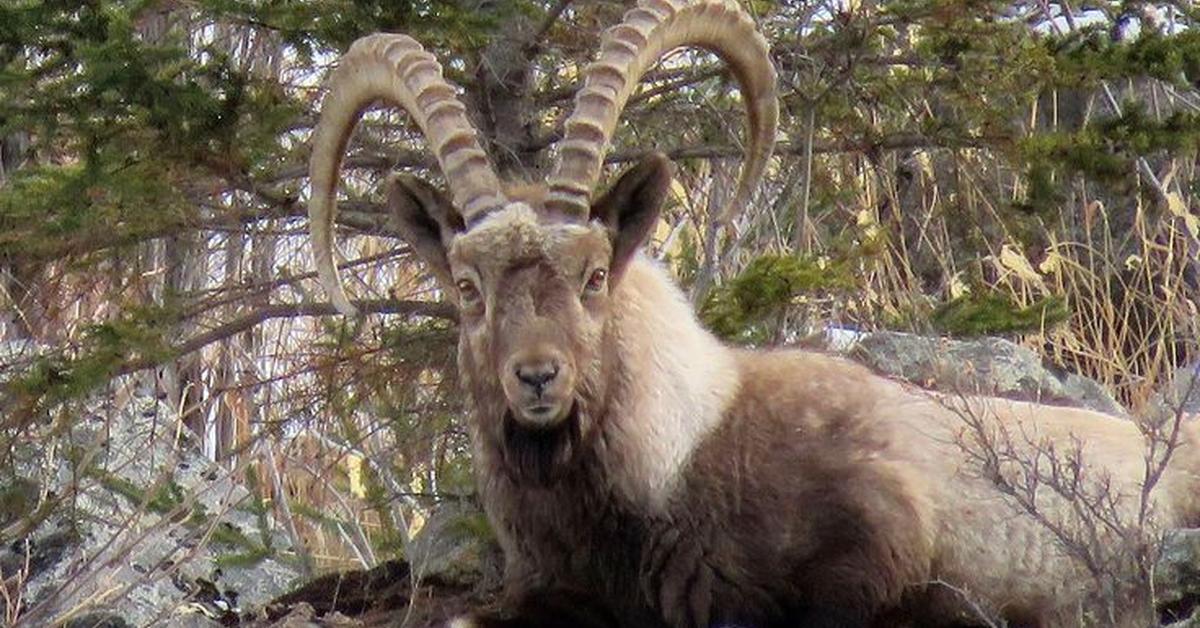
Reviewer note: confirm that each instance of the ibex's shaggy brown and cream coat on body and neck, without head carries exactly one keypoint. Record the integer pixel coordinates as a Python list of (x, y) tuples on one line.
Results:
[(787, 488)]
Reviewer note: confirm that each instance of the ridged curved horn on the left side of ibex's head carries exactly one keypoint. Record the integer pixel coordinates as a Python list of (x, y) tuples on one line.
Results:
[(399, 70)]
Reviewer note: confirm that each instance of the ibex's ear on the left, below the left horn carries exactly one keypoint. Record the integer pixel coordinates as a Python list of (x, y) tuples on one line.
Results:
[(428, 222)]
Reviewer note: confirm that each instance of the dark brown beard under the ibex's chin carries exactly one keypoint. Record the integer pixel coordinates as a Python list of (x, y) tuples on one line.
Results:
[(542, 457)]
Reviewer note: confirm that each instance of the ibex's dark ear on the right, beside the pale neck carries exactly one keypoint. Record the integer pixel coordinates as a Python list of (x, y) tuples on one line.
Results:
[(632, 207)]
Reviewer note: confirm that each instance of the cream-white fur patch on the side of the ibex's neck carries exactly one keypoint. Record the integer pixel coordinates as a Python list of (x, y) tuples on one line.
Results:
[(674, 384)]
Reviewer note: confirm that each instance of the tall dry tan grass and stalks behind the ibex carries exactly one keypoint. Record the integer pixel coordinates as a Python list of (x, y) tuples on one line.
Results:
[(352, 432)]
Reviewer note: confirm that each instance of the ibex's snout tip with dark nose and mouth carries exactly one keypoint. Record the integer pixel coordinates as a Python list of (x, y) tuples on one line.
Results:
[(539, 386)]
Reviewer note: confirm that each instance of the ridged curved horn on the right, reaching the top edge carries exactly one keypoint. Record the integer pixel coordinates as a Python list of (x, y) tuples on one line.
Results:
[(627, 51)]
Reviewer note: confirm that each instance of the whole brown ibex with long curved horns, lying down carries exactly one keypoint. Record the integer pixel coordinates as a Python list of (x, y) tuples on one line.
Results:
[(623, 451)]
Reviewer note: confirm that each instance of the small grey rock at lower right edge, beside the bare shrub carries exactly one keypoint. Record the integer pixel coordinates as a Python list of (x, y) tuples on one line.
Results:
[(1178, 578)]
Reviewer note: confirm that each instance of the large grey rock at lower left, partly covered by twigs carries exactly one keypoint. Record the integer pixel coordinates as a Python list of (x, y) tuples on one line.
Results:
[(143, 529)]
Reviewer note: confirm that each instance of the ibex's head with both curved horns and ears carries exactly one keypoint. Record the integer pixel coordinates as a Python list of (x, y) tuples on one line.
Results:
[(535, 272)]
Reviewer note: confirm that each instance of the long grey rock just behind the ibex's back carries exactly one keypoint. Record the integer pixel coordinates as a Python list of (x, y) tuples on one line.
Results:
[(988, 366)]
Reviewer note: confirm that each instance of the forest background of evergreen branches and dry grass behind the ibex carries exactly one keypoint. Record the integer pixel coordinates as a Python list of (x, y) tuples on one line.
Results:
[(957, 168)]
